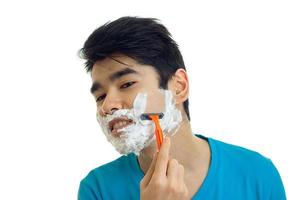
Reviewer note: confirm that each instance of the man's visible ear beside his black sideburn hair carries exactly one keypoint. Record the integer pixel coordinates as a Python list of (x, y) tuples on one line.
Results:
[(179, 85)]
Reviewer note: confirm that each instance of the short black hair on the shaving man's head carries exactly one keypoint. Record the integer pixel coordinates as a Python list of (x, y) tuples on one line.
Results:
[(144, 39)]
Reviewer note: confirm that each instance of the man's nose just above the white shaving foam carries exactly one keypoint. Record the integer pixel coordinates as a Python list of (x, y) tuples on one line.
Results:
[(111, 103)]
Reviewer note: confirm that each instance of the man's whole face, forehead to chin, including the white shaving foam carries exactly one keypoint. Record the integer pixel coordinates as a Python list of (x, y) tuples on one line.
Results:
[(123, 90)]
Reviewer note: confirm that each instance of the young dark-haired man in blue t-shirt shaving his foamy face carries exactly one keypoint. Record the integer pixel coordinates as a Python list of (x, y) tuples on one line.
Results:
[(137, 68)]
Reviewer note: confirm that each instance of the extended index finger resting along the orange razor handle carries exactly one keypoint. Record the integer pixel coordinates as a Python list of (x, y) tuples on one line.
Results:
[(162, 159)]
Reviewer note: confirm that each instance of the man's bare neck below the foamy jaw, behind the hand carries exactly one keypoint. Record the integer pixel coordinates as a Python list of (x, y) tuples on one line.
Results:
[(183, 143)]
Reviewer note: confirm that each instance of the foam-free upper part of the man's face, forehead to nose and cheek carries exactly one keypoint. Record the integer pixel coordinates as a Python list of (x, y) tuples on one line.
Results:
[(116, 85)]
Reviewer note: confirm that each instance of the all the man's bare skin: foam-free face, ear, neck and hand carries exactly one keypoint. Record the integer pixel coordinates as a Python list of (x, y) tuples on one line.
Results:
[(170, 174)]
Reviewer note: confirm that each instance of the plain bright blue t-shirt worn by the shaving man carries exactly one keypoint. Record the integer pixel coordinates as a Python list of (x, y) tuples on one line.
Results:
[(234, 173)]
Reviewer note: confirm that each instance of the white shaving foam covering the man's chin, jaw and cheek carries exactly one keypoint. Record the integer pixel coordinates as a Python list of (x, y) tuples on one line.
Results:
[(140, 134)]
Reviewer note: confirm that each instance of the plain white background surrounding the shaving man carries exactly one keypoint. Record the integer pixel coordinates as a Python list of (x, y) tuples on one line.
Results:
[(243, 58)]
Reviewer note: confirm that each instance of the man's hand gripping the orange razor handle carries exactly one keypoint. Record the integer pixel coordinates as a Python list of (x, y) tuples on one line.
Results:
[(165, 177)]
